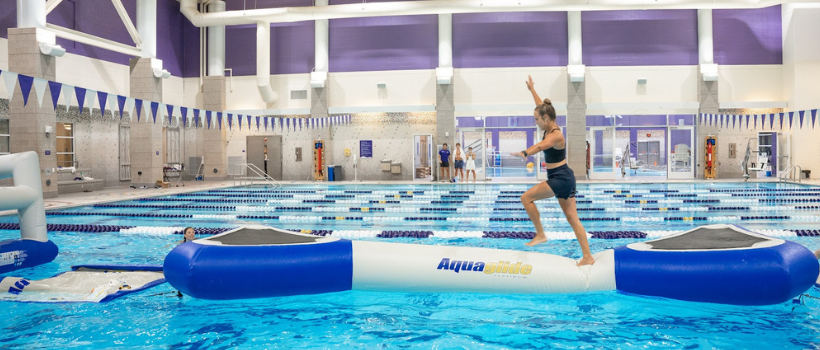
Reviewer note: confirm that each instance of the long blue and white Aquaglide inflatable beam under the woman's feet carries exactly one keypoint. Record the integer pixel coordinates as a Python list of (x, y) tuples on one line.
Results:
[(716, 264)]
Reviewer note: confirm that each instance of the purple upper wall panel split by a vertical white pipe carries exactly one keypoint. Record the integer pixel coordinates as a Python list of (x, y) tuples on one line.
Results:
[(291, 48)]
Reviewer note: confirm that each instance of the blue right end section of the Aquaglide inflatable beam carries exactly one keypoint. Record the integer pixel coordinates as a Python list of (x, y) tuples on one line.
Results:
[(741, 277)]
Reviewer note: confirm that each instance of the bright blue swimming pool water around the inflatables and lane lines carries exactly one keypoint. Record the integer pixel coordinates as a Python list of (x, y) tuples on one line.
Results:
[(157, 319)]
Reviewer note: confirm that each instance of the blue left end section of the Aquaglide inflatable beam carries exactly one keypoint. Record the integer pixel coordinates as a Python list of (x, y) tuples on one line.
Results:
[(242, 272)]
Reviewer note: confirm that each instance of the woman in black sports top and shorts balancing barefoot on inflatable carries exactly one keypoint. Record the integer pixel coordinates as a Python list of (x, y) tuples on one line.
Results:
[(561, 179)]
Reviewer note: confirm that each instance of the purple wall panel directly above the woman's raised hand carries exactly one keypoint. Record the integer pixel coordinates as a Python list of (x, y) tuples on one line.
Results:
[(516, 39)]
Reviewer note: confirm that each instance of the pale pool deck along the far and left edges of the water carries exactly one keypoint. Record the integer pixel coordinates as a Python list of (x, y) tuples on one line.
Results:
[(122, 193)]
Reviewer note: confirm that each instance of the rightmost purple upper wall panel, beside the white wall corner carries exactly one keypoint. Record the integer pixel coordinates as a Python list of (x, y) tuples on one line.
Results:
[(748, 36)]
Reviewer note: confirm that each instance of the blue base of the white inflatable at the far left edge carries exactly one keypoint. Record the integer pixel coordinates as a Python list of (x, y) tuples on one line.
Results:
[(23, 253)]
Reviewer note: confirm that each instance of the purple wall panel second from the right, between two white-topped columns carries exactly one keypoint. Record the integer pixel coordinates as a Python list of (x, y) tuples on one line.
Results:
[(638, 38)]
